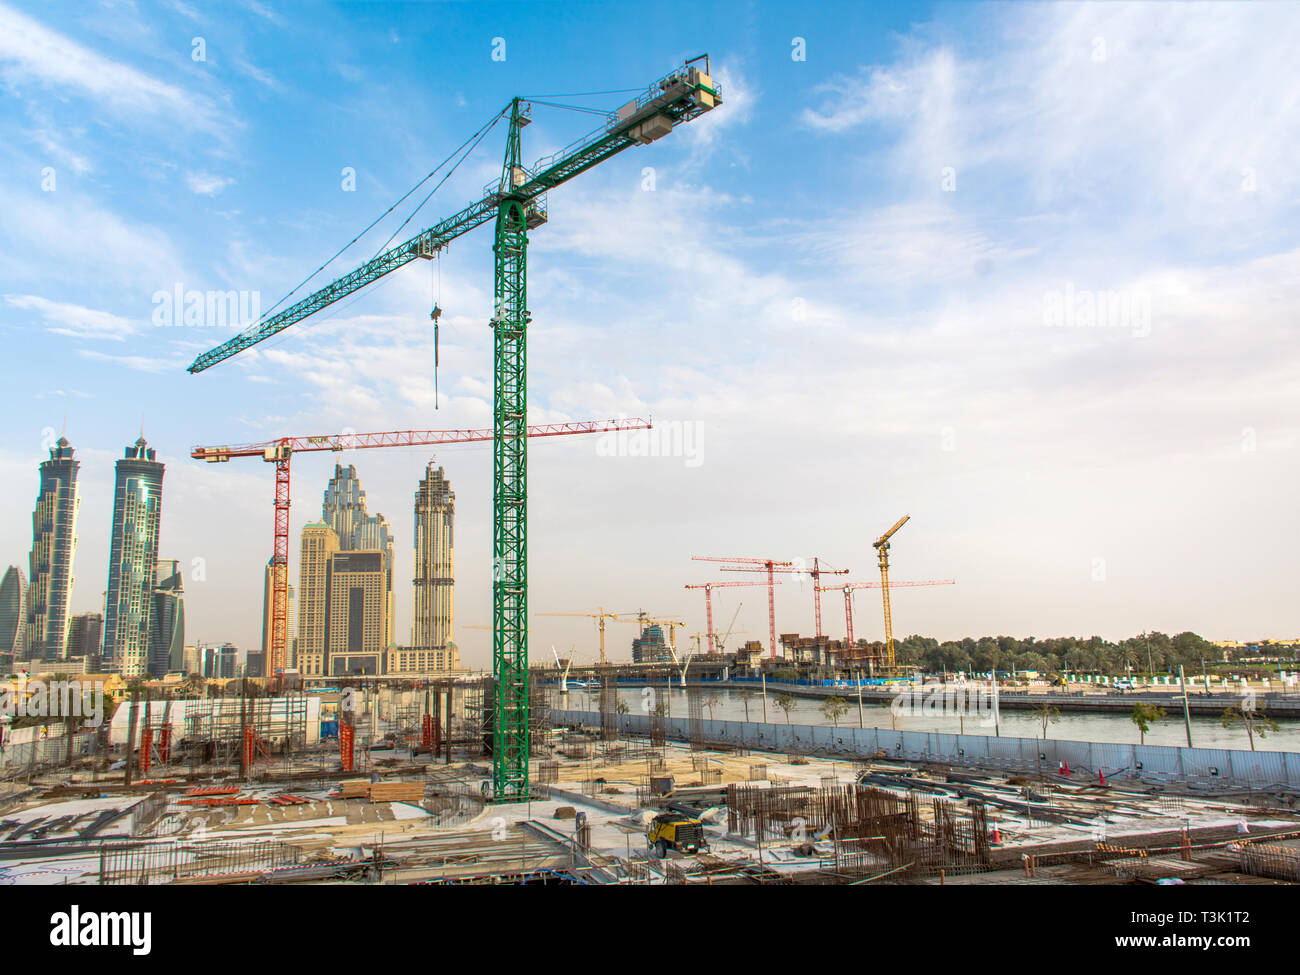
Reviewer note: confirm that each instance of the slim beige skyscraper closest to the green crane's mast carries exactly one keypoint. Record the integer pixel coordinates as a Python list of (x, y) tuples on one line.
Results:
[(435, 562)]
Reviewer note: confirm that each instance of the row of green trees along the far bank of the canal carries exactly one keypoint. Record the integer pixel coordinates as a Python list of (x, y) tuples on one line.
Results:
[(1158, 652)]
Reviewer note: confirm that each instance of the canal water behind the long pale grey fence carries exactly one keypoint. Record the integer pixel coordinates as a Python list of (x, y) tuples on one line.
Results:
[(740, 705)]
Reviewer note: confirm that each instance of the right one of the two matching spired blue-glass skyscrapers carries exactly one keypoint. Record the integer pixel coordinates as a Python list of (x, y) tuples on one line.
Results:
[(133, 561)]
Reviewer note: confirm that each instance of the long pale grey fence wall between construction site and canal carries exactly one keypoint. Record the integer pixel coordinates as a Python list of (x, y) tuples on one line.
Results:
[(1204, 769)]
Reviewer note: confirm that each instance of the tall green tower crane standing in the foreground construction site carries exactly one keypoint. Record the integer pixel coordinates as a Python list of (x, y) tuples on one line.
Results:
[(518, 202)]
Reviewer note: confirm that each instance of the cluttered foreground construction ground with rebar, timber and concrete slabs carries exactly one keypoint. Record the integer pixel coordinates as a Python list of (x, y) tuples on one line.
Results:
[(391, 785)]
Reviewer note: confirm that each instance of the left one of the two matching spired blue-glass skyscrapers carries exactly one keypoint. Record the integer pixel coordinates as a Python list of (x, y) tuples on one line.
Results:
[(54, 545)]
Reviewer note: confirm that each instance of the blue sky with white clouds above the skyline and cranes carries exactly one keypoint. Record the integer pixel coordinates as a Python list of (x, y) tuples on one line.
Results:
[(843, 279)]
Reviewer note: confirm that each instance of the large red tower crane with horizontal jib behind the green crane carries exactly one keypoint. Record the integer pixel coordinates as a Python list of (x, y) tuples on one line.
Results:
[(280, 452)]
